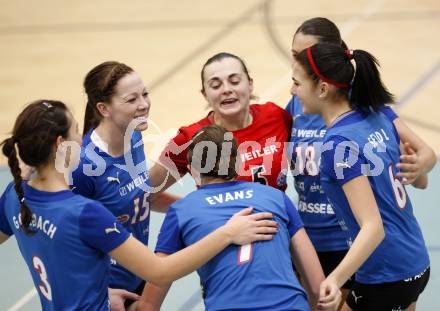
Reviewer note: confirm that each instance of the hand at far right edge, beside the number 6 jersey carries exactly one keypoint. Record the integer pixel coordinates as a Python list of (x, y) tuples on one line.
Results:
[(409, 165)]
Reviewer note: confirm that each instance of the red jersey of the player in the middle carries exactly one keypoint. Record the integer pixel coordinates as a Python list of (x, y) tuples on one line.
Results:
[(260, 145)]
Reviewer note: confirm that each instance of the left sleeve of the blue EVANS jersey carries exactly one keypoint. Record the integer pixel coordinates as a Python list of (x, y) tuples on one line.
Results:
[(169, 240)]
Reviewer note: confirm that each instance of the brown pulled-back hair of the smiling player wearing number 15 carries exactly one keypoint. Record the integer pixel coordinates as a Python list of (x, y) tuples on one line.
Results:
[(99, 85)]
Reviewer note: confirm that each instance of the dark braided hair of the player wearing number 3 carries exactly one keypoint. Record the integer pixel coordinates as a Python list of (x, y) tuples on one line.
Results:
[(34, 135)]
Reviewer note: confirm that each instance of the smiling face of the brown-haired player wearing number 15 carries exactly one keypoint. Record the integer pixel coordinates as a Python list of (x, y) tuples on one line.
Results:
[(129, 102)]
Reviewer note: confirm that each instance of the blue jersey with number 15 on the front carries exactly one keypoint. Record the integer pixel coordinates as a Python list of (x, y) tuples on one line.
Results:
[(120, 184)]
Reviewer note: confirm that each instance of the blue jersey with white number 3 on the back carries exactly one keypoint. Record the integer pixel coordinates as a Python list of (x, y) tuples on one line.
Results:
[(67, 255)]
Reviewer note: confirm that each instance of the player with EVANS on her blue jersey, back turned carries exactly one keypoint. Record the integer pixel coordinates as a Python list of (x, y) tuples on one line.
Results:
[(258, 276)]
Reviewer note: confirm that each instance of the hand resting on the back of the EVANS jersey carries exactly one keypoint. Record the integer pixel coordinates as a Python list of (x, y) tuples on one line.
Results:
[(245, 227)]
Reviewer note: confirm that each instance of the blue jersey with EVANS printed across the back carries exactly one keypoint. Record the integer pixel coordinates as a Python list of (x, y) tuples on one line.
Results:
[(253, 277)]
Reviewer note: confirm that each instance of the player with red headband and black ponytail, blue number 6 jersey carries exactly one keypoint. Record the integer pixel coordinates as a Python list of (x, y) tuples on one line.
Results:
[(359, 174)]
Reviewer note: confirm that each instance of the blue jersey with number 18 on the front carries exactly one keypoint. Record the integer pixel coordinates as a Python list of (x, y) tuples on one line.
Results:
[(326, 232)]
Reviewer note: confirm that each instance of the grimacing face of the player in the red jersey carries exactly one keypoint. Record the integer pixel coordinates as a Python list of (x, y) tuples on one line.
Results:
[(227, 88)]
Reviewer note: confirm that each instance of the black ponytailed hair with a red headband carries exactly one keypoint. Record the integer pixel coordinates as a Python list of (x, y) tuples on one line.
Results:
[(331, 63)]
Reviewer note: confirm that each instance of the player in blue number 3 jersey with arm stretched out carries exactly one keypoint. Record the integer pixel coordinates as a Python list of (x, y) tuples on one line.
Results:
[(66, 239)]
